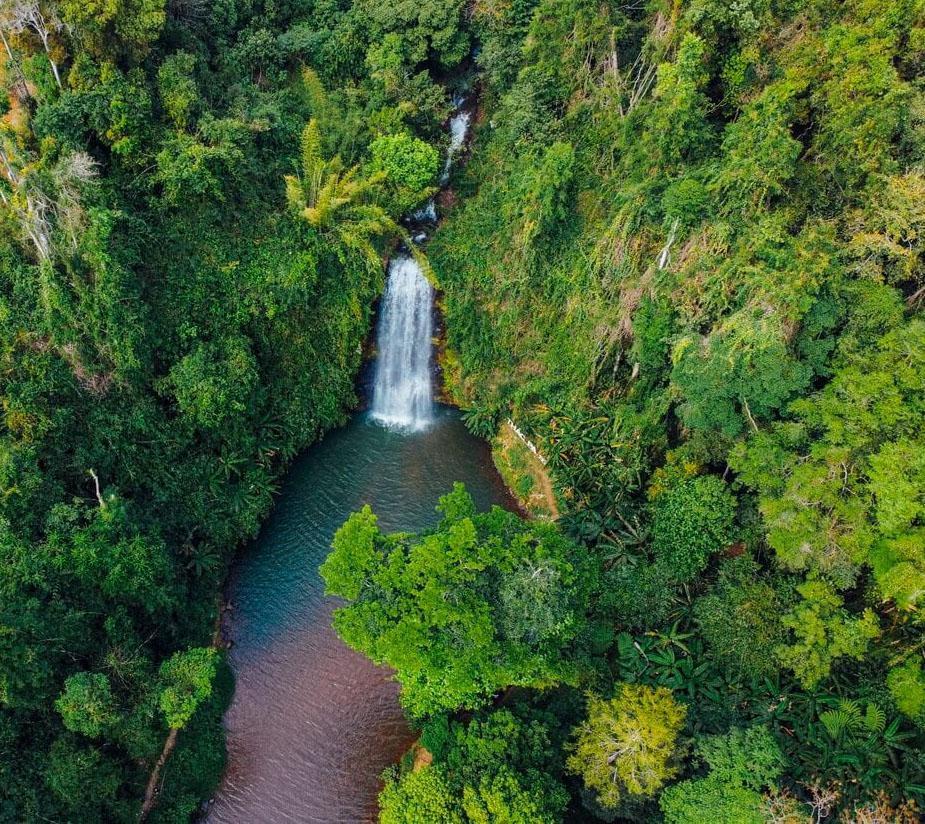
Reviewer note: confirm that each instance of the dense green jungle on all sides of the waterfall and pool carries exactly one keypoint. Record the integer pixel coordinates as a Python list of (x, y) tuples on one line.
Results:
[(684, 254)]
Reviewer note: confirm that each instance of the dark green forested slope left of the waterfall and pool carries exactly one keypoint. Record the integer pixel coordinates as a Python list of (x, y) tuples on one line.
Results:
[(191, 230)]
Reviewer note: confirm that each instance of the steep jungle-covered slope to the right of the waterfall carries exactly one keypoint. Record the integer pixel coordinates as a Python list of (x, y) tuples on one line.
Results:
[(687, 261)]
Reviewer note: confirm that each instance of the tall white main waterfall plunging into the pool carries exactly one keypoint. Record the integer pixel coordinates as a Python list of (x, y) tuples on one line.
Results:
[(402, 391)]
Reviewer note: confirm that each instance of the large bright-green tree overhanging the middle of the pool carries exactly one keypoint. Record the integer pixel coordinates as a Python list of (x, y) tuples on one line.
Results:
[(461, 612)]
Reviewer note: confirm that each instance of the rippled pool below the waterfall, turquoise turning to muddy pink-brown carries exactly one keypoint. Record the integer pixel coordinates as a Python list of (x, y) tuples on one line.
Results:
[(313, 724)]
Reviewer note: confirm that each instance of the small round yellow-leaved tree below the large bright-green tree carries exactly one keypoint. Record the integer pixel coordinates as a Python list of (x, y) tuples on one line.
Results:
[(629, 744)]
